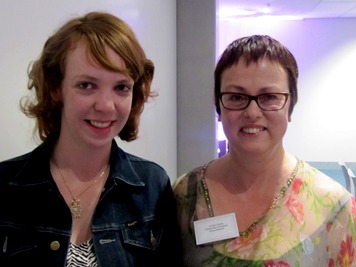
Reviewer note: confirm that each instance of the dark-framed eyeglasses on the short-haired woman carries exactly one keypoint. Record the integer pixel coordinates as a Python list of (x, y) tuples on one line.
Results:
[(267, 101)]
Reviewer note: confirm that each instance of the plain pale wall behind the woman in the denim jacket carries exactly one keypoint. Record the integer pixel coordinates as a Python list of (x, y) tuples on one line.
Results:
[(25, 26)]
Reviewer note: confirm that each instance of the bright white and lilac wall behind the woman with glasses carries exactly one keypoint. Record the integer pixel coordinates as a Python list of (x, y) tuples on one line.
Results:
[(323, 124)]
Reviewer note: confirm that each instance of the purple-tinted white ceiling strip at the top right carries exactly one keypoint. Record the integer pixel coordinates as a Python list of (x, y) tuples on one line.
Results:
[(298, 9)]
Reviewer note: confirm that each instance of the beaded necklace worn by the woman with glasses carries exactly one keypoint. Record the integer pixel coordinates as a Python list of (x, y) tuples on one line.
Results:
[(274, 203)]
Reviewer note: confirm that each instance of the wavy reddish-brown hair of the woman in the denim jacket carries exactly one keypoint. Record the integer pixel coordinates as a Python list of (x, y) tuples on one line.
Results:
[(97, 30)]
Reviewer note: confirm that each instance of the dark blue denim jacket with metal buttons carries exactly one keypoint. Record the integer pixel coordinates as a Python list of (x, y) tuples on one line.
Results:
[(134, 223)]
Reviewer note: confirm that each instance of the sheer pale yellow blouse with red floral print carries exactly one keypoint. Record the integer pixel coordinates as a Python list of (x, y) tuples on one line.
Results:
[(313, 224)]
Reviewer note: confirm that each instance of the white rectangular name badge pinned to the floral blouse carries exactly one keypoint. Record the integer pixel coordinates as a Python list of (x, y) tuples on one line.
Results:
[(216, 228)]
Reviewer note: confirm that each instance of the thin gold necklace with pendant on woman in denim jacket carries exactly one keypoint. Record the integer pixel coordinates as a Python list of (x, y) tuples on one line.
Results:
[(75, 205)]
